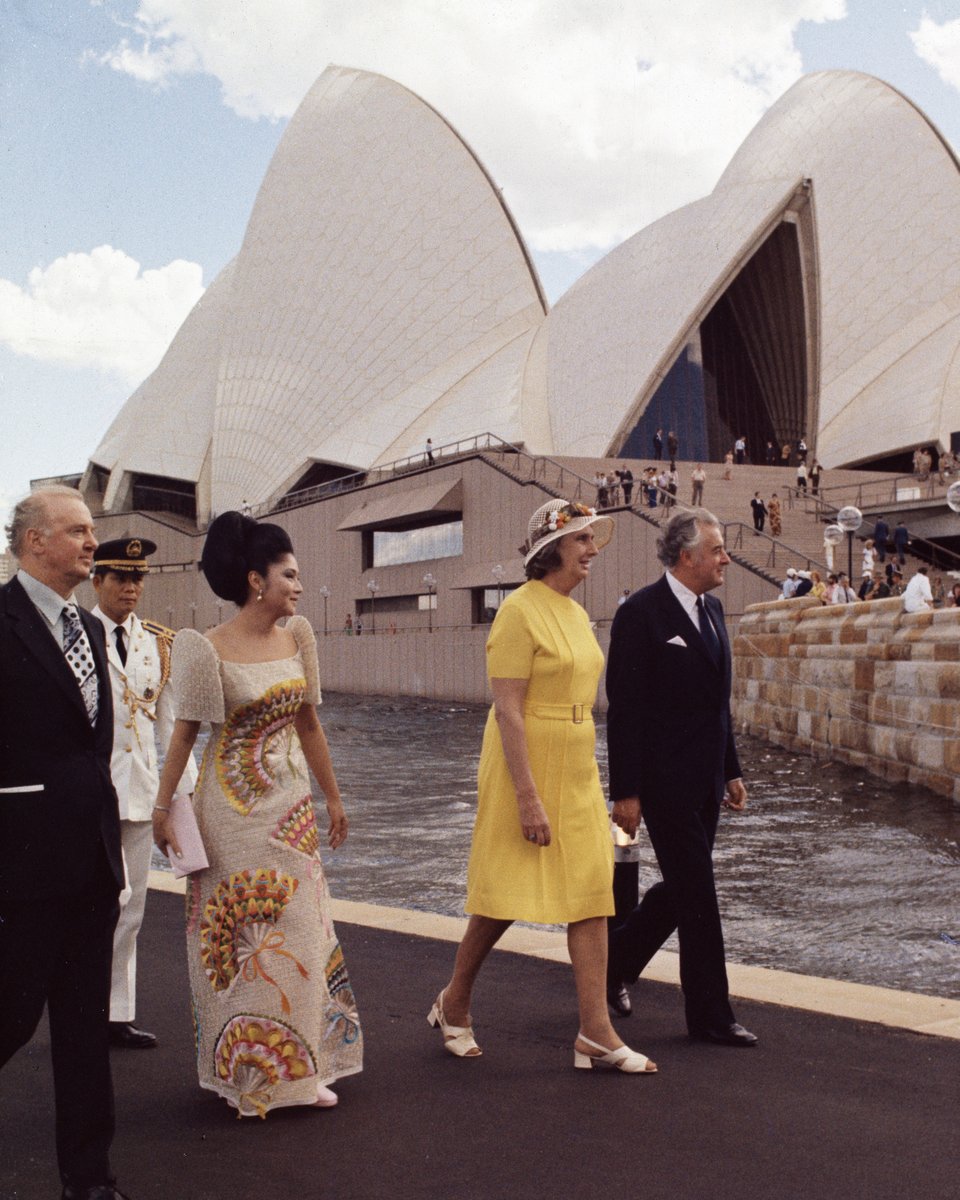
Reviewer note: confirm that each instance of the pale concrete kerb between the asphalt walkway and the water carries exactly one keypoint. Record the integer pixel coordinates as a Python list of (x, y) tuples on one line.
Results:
[(933, 1016)]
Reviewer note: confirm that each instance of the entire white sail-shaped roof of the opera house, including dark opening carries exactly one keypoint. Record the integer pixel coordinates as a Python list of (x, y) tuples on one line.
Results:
[(383, 295)]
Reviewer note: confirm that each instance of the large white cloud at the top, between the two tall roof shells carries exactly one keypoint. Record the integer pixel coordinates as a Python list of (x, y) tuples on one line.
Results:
[(595, 117)]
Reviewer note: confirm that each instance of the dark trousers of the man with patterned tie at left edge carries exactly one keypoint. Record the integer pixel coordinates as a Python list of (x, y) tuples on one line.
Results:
[(58, 952)]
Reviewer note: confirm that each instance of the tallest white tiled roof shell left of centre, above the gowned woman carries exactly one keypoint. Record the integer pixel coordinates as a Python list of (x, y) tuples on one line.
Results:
[(380, 269)]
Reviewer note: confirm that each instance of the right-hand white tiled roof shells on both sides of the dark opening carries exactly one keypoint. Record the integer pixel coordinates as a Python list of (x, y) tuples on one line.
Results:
[(887, 208)]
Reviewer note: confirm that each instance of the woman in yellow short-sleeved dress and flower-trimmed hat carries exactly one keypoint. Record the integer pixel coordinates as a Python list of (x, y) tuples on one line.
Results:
[(542, 847)]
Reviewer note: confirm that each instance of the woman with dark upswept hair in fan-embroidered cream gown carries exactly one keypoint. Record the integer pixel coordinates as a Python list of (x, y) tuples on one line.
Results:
[(275, 1017)]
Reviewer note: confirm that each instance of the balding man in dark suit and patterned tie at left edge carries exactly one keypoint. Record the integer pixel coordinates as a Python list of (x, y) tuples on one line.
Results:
[(59, 829)]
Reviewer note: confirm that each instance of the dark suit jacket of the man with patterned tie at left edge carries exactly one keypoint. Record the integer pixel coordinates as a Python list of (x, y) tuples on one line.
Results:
[(53, 841)]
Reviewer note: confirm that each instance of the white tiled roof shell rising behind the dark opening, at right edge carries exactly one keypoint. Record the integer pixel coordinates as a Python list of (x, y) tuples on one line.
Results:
[(887, 206)]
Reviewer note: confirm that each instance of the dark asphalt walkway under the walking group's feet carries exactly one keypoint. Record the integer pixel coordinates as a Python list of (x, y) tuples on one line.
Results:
[(827, 1107)]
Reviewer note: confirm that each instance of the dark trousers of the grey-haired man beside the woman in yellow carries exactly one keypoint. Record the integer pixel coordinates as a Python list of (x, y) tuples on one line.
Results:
[(682, 836)]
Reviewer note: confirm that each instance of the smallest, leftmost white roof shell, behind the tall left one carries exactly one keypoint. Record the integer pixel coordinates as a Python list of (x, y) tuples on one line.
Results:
[(165, 428)]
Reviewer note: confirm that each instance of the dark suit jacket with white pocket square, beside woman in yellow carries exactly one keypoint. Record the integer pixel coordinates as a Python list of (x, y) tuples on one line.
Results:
[(669, 727)]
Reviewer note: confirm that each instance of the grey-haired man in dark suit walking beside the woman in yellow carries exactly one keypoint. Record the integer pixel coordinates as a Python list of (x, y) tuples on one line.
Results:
[(669, 643)]
